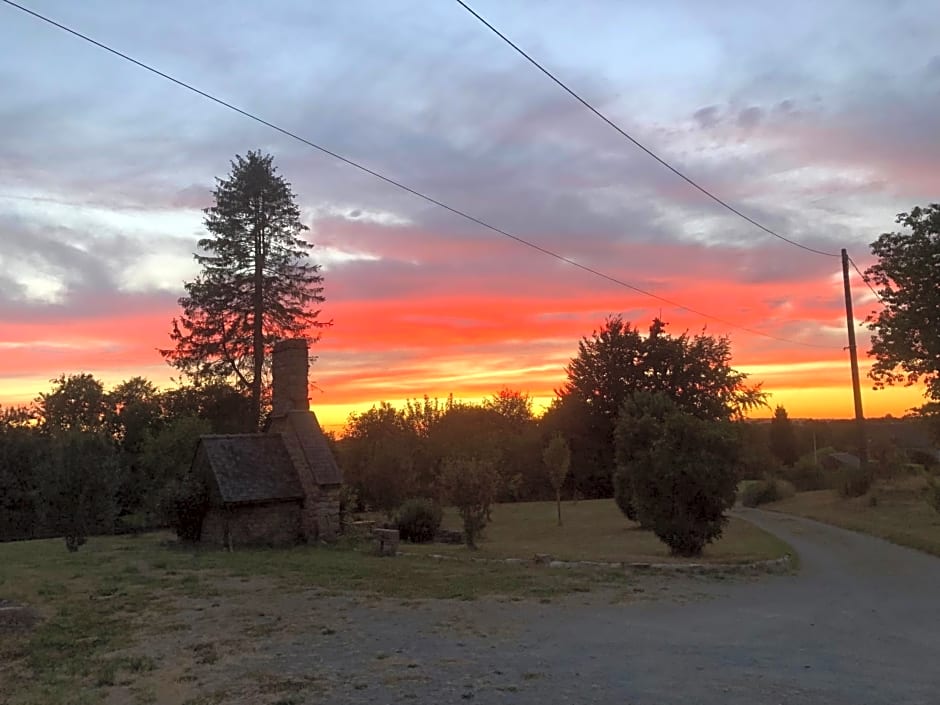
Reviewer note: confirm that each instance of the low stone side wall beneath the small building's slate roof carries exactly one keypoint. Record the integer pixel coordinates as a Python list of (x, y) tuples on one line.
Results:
[(274, 524)]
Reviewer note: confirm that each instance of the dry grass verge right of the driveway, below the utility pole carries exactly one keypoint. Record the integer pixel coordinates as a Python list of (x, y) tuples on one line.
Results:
[(899, 514)]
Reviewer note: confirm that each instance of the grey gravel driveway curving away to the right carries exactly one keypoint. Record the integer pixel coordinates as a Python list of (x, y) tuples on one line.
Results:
[(859, 625)]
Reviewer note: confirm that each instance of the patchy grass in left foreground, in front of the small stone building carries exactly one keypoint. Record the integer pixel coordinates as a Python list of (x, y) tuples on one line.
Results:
[(105, 597)]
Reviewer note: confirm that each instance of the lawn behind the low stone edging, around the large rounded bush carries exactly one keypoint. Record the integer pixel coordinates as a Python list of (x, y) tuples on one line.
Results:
[(596, 530)]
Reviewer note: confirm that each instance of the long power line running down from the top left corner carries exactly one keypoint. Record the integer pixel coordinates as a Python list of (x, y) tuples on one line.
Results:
[(398, 184)]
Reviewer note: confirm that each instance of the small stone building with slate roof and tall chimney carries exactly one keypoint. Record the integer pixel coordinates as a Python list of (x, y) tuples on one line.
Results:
[(276, 487)]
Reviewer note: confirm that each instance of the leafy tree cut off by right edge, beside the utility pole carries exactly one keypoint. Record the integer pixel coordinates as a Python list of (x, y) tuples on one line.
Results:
[(906, 331)]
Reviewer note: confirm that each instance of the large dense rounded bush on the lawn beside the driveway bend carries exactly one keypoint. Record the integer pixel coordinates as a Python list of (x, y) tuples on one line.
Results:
[(683, 476)]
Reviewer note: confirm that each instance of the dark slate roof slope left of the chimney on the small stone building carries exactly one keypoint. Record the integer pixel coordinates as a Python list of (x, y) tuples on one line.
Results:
[(250, 467)]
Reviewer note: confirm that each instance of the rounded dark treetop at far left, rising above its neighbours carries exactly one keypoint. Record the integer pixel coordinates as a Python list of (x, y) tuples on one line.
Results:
[(76, 403)]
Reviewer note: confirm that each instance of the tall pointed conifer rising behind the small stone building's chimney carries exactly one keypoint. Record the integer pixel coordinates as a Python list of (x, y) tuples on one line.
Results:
[(256, 285)]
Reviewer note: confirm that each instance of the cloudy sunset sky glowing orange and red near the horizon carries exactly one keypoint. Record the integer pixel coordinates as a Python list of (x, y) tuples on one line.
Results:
[(819, 120)]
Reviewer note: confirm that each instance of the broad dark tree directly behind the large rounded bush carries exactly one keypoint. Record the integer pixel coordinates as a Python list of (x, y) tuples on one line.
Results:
[(616, 360)]
